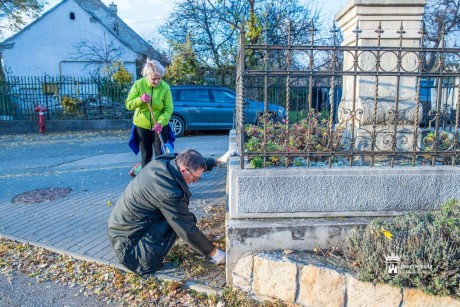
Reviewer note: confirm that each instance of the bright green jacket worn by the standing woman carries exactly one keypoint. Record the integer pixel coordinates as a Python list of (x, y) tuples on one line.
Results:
[(162, 103)]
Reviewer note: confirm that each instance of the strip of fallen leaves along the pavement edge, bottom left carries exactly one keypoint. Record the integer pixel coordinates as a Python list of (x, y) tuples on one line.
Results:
[(110, 285)]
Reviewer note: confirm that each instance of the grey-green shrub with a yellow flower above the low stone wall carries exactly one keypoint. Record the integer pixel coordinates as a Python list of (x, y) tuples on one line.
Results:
[(429, 241)]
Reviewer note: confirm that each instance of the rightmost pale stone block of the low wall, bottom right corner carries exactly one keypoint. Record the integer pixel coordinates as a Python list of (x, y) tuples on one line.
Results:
[(417, 298)]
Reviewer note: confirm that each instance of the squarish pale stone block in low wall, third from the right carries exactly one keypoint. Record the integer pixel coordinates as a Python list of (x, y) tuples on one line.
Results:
[(321, 286)]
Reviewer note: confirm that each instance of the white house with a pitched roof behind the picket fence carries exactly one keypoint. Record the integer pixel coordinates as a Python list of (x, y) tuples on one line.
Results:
[(75, 38)]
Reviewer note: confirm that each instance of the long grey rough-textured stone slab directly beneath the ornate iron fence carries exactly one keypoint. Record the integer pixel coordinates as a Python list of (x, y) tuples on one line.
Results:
[(356, 191)]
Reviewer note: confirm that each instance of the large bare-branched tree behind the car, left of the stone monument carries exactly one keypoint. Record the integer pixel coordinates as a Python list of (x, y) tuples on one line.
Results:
[(214, 27)]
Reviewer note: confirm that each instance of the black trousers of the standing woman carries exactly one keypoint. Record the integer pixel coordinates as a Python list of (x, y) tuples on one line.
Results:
[(148, 138)]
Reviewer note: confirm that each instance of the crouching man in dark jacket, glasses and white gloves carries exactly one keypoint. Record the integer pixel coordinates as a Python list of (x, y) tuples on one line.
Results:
[(153, 211)]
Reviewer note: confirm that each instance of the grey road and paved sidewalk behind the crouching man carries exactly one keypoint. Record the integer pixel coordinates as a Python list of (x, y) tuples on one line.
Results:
[(95, 167)]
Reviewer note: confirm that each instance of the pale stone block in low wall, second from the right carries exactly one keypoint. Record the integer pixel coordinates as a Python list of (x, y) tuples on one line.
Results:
[(366, 294)]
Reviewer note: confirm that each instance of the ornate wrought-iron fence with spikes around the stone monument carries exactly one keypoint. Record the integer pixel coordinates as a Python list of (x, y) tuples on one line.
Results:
[(382, 106)]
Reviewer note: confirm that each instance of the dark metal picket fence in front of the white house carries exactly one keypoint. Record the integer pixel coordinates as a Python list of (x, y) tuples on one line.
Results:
[(65, 98)]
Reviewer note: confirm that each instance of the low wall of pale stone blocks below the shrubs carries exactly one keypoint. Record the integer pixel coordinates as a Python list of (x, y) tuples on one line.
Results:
[(307, 281)]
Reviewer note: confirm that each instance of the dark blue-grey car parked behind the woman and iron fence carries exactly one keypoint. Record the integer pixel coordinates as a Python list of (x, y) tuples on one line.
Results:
[(213, 108)]
